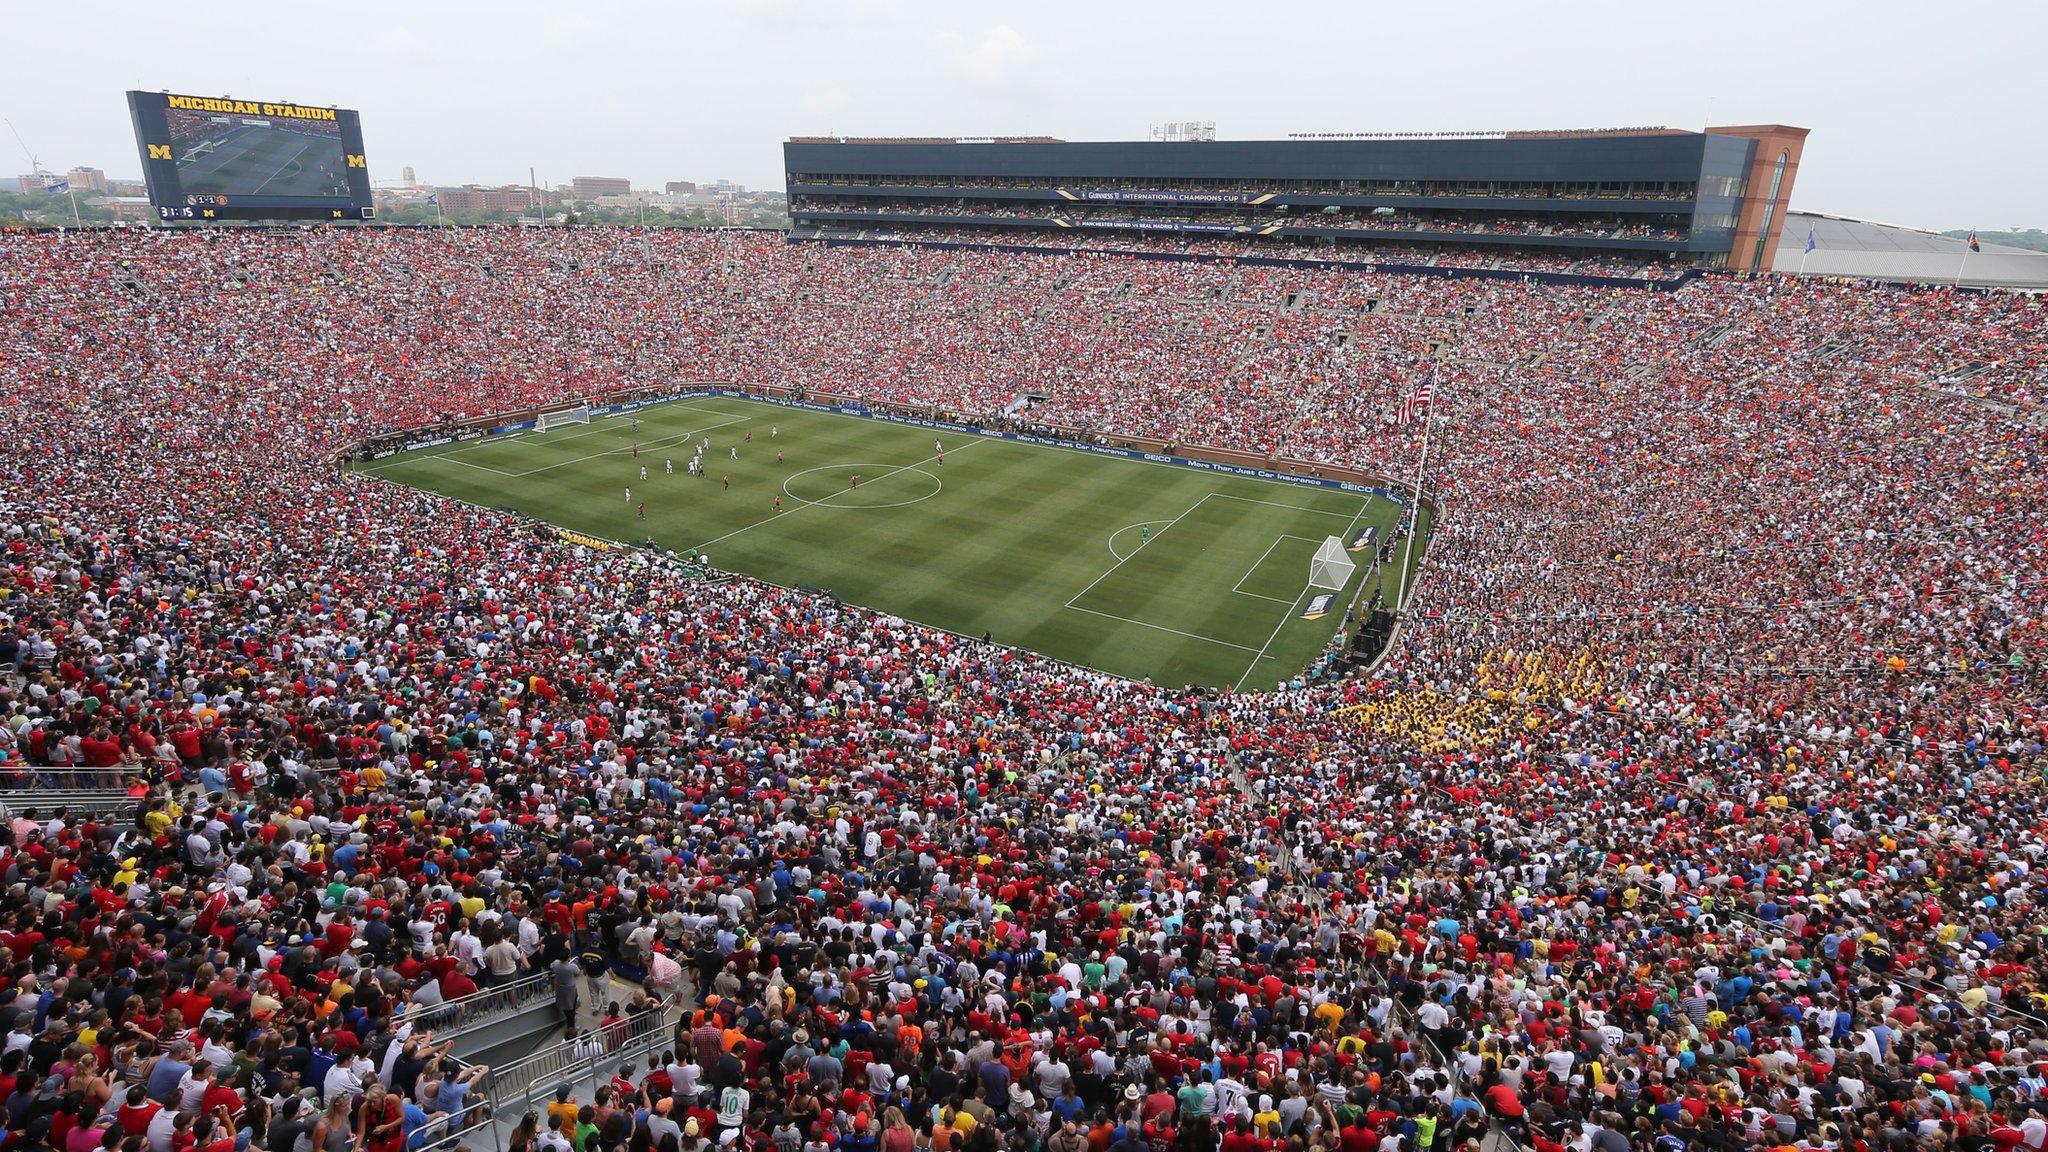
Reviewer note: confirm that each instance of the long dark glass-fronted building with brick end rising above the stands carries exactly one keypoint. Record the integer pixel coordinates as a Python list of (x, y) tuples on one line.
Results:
[(1646, 196)]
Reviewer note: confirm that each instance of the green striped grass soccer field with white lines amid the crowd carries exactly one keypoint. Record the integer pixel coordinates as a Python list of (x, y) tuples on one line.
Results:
[(1119, 565)]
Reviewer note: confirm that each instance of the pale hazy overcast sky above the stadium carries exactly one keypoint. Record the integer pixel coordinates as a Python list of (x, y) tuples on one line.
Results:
[(1920, 116)]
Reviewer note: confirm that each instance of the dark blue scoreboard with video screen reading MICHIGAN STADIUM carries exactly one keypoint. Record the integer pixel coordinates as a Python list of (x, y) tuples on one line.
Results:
[(224, 159)]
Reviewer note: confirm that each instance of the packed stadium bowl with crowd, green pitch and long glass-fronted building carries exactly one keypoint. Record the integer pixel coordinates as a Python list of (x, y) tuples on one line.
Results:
[(1492, 667)]
